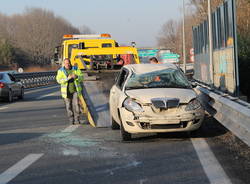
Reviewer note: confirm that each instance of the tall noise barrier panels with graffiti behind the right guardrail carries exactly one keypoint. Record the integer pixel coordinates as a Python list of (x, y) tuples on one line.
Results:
[(225, 66)]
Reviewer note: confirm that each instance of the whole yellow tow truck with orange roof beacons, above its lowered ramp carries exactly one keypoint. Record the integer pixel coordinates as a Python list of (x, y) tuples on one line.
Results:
[(100, 51)]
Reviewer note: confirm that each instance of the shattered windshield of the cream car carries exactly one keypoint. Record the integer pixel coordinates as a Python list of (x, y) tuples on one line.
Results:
[(167, 78)]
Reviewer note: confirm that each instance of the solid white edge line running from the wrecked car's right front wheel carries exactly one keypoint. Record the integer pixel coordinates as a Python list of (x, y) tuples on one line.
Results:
[(210, 164)]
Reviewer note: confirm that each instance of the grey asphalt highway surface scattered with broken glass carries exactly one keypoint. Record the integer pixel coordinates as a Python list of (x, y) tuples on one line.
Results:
[(38, 145)]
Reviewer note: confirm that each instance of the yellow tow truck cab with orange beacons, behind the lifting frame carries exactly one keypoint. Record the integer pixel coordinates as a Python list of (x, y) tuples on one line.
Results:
[(84, 42)]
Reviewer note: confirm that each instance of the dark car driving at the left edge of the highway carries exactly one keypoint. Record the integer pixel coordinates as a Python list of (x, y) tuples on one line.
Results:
[(10, 87)]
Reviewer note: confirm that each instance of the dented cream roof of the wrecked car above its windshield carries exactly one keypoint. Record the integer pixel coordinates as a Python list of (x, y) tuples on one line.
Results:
[(144, 68)]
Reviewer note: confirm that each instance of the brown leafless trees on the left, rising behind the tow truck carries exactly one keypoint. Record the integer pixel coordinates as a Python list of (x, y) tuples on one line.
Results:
[(35, 33)]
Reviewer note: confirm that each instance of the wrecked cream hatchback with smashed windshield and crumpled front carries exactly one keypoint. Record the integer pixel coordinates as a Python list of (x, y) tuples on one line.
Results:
[(153, 98)]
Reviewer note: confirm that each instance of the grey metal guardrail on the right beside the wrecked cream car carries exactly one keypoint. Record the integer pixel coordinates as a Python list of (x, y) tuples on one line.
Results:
[(231, 112)]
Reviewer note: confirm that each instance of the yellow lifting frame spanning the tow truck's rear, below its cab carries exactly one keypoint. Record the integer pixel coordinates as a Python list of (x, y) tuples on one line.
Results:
[(89, 58)]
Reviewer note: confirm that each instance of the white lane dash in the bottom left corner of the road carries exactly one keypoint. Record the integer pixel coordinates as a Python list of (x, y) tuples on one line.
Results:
[(20, 166)]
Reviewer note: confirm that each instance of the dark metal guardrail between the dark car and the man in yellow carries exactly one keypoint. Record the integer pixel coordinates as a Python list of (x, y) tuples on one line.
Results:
[(35, 79)]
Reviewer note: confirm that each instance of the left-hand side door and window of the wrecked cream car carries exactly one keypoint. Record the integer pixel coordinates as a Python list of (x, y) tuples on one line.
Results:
[(116, 92)]
